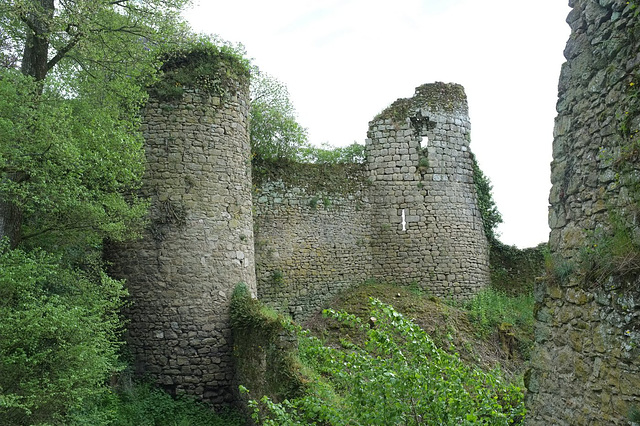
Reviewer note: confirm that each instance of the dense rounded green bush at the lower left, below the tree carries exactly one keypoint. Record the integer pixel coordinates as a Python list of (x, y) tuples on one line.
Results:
[(58, 336)]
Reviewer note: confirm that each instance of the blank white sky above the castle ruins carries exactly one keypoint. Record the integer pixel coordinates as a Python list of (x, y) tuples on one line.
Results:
[(344, 61)]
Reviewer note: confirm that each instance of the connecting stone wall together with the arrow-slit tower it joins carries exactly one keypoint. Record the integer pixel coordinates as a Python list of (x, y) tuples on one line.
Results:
[(314, 240)]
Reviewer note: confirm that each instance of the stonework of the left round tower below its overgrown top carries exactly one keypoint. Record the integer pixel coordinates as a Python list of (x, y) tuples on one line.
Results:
[(198, 246)]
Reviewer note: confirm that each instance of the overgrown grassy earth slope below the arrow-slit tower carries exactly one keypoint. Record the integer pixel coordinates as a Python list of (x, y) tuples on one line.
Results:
[(486, 332)]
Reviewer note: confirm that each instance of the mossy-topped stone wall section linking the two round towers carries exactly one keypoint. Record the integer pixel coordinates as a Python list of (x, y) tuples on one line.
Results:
[(312, 236)]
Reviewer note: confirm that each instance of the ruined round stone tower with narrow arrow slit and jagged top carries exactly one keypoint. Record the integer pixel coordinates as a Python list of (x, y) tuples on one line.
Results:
[(421, 171)]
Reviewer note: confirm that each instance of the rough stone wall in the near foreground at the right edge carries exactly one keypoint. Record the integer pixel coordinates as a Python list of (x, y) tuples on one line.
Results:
[(586, 365)]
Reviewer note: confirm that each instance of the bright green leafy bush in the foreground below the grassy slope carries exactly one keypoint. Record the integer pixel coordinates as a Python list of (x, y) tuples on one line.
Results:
[(398, 376)]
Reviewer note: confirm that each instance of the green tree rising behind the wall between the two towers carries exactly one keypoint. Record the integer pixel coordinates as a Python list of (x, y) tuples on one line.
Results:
[(275, 133)]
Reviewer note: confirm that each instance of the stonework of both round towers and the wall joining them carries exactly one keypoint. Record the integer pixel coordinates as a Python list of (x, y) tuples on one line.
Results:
[(318, 229)]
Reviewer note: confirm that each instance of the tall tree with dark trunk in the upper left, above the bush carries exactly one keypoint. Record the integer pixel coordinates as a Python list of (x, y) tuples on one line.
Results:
[(89, 60)]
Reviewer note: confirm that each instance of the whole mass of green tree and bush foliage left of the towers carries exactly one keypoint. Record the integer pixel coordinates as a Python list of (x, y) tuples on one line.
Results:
[(71, 159)]
